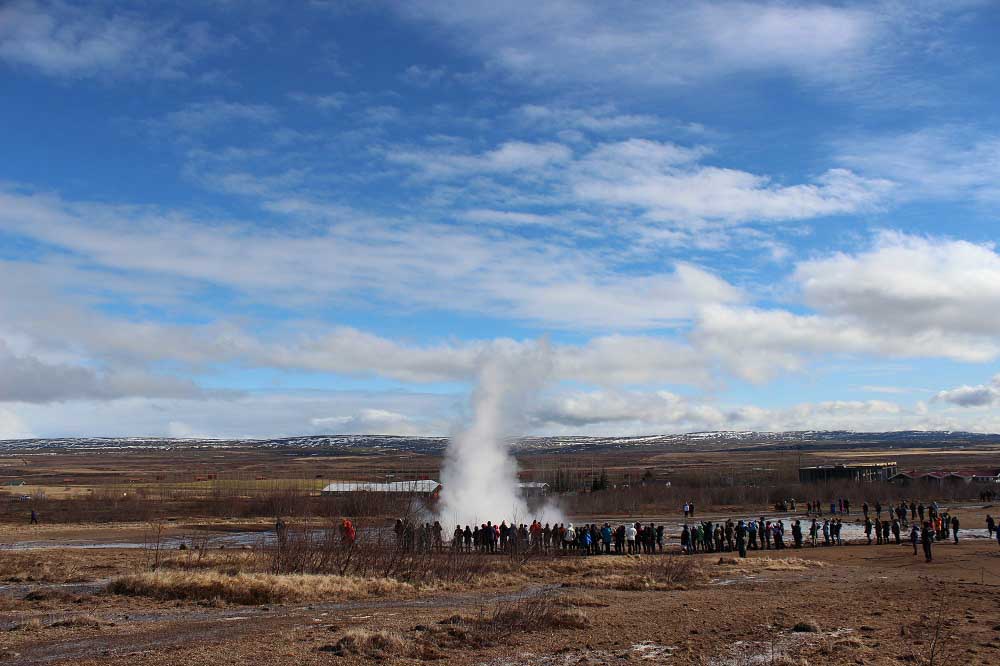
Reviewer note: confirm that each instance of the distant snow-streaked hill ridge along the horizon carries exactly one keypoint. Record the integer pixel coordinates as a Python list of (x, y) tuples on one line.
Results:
[(702, 441)]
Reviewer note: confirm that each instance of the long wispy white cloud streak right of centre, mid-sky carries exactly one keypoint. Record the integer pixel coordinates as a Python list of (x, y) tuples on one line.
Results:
[(664, 183)]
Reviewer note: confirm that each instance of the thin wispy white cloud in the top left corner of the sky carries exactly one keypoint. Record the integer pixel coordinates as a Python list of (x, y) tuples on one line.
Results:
[(69, 40)]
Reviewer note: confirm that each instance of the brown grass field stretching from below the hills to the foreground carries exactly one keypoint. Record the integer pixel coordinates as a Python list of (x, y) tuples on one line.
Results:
[(103, 576)]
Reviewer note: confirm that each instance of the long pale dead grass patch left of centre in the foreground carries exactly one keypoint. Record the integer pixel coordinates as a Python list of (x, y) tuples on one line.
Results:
[(253, 588)]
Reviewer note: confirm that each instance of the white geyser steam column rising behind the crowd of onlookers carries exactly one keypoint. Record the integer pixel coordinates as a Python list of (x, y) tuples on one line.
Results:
[(480, 474)]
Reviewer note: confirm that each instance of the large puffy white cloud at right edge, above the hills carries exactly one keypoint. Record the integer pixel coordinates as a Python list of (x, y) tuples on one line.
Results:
[(906, 296)]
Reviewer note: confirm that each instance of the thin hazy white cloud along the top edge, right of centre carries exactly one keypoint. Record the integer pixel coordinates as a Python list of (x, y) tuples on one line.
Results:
[(660, 44)]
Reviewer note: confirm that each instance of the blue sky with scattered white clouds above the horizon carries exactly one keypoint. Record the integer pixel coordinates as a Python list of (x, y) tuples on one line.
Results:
[(244, 219)]
